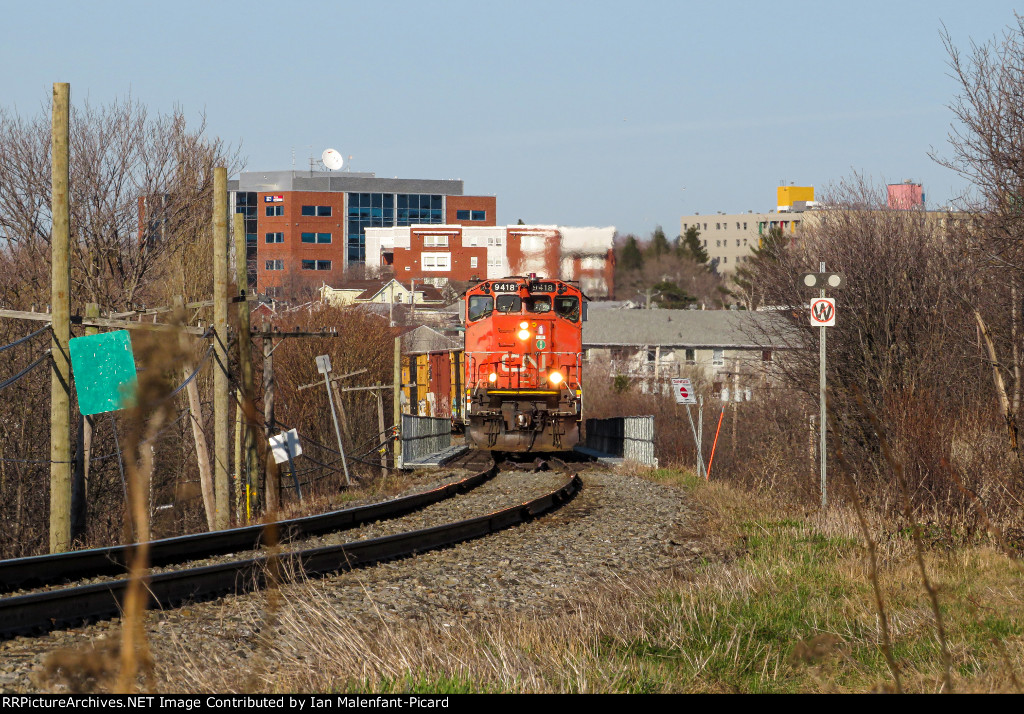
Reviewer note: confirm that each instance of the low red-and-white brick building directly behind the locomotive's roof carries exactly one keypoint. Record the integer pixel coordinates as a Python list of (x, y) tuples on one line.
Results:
[(440, 255)]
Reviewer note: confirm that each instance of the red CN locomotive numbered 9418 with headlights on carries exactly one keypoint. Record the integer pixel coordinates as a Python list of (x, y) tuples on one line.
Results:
[(524, 364)]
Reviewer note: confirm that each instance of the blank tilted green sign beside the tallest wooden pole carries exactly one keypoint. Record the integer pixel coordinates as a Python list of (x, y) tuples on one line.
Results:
[(105, 372)]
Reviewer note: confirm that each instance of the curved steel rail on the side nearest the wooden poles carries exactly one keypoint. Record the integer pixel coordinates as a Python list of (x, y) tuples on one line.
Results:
[(60, 568)]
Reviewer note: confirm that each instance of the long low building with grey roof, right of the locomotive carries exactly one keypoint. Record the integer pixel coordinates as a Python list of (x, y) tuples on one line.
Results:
[(730, 350)]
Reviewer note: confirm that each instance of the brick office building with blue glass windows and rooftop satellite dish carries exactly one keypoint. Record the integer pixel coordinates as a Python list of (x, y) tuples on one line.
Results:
[(310, 227)]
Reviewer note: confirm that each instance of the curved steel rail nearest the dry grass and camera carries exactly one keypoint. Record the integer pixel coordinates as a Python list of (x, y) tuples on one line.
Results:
[(44, 612)]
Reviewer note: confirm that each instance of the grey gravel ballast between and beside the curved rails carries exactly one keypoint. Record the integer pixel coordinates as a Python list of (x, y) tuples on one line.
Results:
[(619, 527)]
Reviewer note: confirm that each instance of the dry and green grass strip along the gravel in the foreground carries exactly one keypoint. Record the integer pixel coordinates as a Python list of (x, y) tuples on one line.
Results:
[(776, 599)]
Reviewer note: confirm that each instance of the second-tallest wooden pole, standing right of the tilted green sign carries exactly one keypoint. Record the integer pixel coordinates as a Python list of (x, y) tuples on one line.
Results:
[(222, 398)]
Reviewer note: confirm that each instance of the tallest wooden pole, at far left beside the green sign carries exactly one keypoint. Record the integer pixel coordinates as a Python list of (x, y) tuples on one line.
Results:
[(61, 321)]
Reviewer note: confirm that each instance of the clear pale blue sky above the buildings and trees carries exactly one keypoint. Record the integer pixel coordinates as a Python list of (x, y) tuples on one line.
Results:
[(574, 113)]
